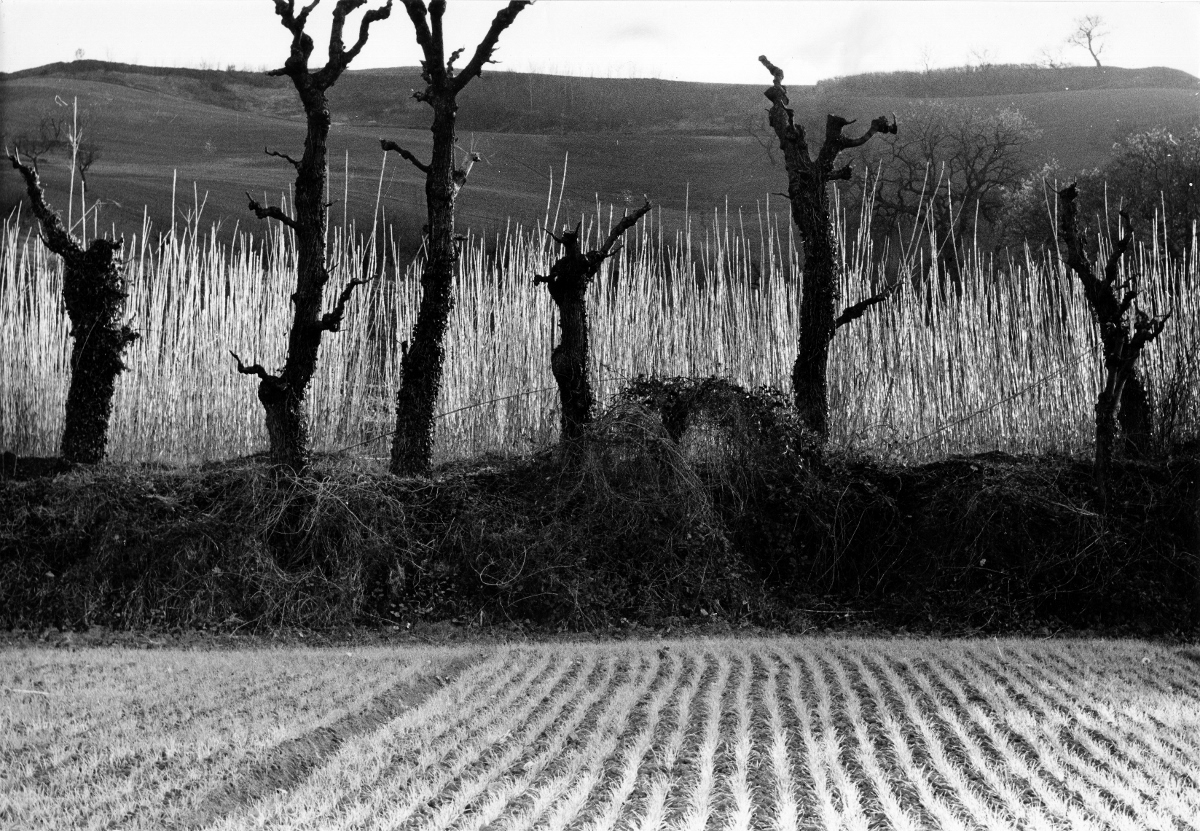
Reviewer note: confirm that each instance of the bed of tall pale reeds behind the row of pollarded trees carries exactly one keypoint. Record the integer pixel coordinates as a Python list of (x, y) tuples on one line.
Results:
[(1009, 362)]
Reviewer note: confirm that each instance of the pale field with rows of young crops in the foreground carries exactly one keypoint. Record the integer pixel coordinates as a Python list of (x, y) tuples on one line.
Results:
[(791, 734)]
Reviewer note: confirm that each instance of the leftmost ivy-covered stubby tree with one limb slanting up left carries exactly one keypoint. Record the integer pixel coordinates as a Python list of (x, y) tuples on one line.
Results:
[(94, 295)]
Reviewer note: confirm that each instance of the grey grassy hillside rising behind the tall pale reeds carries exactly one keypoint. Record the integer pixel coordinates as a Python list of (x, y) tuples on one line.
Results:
[(692, 141)]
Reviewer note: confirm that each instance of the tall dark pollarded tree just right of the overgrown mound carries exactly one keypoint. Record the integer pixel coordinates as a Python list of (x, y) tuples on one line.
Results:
[(808, 182)]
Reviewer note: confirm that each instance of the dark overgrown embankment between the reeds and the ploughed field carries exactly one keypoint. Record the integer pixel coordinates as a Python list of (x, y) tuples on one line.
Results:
[(687, 501)]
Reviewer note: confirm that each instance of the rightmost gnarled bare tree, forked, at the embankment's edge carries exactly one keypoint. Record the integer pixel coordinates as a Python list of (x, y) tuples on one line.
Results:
[(1121, 343)]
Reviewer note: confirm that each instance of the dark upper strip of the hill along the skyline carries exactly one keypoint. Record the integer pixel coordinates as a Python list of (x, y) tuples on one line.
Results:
[(524, 103)]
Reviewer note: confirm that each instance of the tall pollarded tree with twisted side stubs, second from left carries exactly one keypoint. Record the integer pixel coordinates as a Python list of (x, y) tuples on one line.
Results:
[(284, 396)]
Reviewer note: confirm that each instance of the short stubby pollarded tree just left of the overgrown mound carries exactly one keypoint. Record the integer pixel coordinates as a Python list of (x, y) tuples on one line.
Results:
[(568, 283)]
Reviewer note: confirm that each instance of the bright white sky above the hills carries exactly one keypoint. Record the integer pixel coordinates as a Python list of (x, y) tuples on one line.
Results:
[(679, 40)]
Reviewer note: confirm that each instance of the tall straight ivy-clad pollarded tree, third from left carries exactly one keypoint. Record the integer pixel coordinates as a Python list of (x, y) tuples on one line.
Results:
[(412, 450)]
